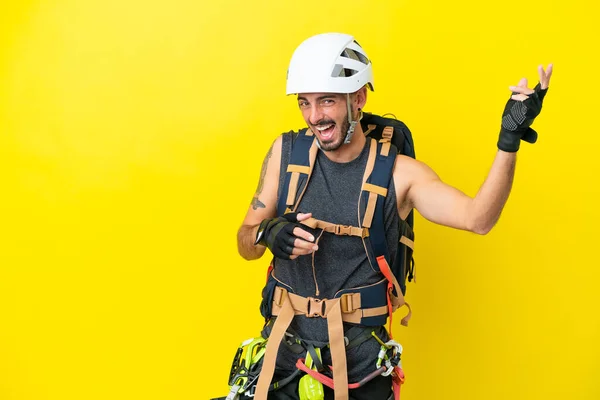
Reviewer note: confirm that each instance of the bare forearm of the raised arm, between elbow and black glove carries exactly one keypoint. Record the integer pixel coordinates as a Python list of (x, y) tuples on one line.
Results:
[(493, 194)]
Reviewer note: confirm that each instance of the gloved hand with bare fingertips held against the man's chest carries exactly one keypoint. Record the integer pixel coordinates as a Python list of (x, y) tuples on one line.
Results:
[(285, 237)]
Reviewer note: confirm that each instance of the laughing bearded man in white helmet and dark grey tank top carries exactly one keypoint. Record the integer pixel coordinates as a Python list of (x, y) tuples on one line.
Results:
[(330, 74)]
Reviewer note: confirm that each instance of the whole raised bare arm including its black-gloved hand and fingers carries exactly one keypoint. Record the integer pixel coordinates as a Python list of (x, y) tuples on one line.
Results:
[(420, 187)]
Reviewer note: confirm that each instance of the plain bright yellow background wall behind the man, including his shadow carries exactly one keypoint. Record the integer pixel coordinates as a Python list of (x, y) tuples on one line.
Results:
[(131, 139)]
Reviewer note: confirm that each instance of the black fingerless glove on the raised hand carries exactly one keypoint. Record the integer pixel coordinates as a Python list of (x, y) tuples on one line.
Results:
[(517, 119)]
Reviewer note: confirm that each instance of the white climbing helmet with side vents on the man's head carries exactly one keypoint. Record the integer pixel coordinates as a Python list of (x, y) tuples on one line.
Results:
[(329, 63)]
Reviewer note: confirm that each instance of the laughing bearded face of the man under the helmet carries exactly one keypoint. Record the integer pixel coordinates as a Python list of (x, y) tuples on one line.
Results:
[(327, 116)]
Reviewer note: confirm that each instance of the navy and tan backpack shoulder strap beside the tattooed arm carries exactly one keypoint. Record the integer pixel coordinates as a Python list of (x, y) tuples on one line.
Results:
[(298, 172)]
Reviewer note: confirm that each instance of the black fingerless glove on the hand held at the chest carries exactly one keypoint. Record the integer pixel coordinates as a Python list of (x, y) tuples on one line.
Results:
[(277, 234)]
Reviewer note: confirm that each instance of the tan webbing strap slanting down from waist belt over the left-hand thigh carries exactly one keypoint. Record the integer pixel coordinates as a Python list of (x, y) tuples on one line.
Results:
[(278, 331)]
